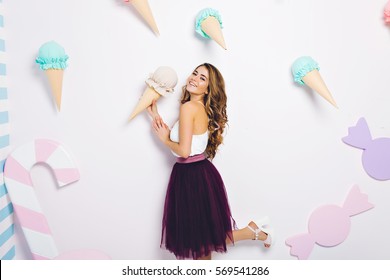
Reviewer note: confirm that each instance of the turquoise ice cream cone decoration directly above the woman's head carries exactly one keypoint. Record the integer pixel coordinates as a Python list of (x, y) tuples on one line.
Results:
[(208, 24)]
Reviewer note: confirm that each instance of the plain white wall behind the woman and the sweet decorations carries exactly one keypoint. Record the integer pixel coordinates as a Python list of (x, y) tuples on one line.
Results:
[(283, 155)]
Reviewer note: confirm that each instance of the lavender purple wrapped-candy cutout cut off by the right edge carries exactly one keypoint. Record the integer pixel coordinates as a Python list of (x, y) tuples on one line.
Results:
[(376, 152)]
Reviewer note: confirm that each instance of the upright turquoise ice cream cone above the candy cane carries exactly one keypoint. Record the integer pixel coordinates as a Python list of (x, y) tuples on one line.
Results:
[(53, 60)]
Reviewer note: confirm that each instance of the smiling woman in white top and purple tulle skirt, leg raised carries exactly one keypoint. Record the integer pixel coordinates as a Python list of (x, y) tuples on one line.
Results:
[(197, 218)]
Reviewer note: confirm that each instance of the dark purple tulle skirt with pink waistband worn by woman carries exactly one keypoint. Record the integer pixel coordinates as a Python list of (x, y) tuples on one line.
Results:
[(197, 218)]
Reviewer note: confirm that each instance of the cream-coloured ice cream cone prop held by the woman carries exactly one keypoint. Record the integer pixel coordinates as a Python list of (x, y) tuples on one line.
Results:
[(160, 83)]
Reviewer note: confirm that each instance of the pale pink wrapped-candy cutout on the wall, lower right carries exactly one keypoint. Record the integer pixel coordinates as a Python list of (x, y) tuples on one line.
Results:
[(329, 225)]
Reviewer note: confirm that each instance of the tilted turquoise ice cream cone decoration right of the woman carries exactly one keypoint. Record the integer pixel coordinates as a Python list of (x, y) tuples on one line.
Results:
[(306, 72)]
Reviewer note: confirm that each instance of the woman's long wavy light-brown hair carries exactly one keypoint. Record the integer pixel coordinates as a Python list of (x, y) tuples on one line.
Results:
[(215, 104)]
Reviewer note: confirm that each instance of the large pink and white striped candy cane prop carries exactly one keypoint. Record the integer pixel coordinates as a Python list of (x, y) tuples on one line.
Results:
[(24, 200)]
